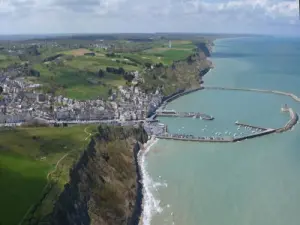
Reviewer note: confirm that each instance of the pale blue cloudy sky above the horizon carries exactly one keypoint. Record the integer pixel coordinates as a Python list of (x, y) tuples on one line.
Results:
[(148, 16)]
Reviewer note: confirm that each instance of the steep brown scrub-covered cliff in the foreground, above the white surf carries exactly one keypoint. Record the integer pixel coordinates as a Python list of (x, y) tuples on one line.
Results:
[(104, 187)]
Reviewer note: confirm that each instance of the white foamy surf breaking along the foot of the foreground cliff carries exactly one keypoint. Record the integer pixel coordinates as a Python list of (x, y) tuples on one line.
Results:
[(151, 205)]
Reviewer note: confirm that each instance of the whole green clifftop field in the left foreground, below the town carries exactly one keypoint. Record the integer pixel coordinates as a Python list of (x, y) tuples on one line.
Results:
[(25, 163)]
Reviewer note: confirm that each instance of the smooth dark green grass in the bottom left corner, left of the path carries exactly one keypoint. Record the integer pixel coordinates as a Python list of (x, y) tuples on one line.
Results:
[(22, 180)]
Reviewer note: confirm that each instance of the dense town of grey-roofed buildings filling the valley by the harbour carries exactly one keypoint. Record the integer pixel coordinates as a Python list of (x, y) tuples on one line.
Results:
[(20, 104)]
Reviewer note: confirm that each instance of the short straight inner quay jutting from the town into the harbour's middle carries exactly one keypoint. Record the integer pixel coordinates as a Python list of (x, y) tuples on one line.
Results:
[(173, 113)]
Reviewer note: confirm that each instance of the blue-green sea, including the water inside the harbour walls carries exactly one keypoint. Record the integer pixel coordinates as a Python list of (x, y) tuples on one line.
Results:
[(252, 182)]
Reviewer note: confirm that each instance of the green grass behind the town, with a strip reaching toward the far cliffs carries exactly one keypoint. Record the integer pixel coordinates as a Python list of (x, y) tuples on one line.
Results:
[(77, 77)]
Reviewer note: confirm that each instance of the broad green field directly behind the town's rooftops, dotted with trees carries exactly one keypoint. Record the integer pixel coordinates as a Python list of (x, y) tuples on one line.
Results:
[(77, 77)]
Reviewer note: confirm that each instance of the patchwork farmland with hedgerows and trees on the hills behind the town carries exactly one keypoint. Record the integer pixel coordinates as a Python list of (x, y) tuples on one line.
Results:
[(75, 72)]
